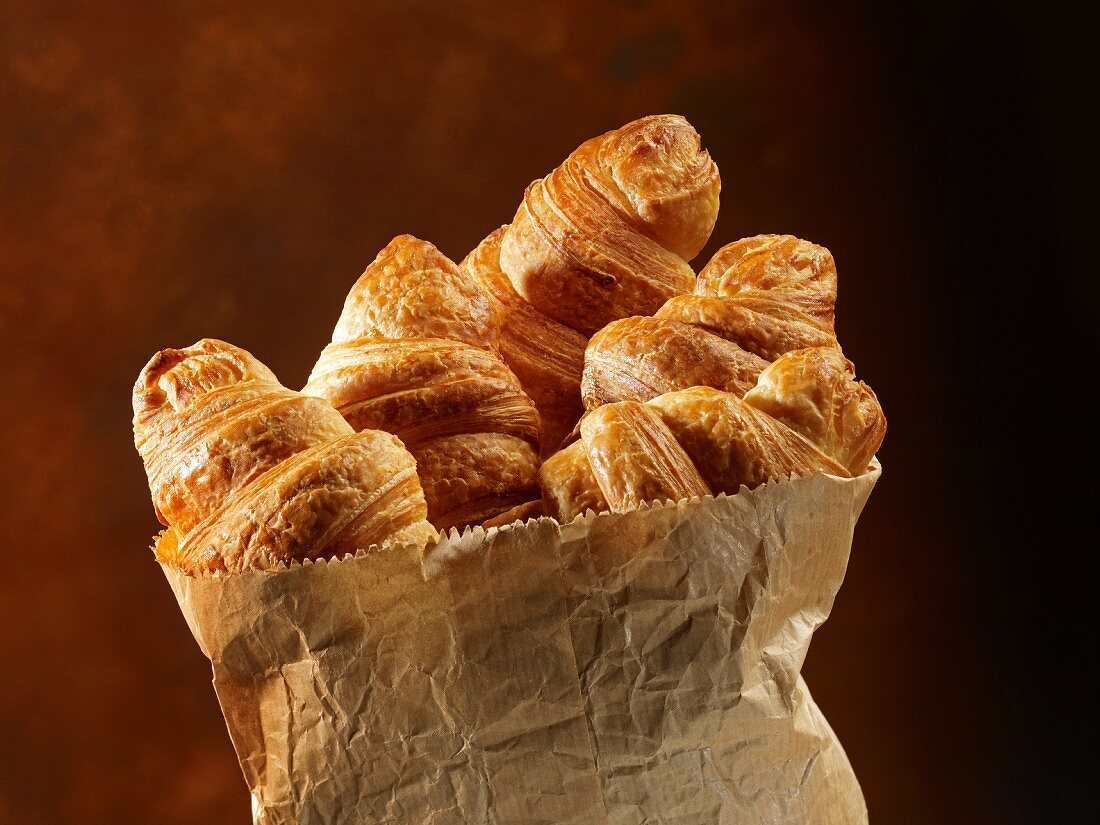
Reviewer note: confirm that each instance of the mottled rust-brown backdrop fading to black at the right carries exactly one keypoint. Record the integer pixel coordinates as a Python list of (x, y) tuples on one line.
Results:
[(226, 170)]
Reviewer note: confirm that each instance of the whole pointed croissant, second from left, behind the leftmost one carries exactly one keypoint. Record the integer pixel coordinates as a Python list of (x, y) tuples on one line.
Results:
[(413, 355)]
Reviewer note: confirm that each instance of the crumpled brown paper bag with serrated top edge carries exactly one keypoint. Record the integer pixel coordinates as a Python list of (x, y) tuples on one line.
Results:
[(633, 668)]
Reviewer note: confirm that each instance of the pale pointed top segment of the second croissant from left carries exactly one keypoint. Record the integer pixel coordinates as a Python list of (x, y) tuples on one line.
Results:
[(414, 291)]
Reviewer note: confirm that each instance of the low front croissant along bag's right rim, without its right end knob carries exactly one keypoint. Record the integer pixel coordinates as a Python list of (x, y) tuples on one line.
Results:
[(684, 444)]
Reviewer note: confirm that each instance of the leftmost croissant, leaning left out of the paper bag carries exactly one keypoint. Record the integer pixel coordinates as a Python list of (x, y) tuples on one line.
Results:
[(249, 475)]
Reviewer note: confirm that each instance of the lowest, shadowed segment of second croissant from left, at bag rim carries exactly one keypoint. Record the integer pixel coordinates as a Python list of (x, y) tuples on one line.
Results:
[(471, 478)]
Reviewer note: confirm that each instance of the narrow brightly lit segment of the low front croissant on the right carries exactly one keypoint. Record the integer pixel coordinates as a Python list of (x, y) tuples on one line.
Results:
[(635, 458)]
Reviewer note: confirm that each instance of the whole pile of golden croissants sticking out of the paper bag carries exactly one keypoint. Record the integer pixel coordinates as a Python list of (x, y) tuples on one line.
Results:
[(574, 361)]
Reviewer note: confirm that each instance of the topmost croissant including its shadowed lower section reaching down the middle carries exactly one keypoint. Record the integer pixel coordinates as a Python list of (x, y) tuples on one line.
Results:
[(607, 235)]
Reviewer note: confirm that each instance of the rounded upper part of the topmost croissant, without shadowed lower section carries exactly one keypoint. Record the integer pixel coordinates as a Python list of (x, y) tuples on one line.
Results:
[(609, 234)]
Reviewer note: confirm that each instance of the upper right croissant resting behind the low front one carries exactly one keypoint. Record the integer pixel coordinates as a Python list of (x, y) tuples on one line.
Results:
[(756, 300)]
